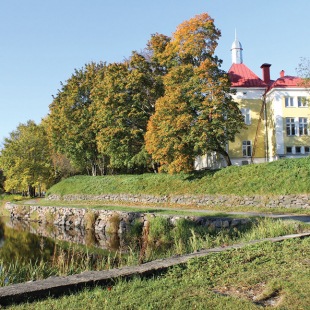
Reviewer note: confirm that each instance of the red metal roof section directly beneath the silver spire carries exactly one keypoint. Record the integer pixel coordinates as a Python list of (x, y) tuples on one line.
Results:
[(241, 76)]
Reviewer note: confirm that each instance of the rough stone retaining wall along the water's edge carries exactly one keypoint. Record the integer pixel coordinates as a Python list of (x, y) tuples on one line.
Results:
[(106, 221)]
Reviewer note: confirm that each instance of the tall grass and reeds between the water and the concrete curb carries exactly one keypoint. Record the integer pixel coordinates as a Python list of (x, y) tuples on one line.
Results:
[(158, 240)]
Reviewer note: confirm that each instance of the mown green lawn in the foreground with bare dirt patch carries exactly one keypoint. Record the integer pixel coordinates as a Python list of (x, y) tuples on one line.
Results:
[(262, 274)]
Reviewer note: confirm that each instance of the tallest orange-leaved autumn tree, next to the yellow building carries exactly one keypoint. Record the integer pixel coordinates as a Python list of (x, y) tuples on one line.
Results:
[(196, 114)]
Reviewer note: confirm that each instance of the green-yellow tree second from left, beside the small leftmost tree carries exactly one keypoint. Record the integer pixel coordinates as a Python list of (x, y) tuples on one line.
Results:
[(70, 121)]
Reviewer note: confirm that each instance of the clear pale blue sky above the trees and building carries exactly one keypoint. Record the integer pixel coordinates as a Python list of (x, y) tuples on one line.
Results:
[(43, 42)]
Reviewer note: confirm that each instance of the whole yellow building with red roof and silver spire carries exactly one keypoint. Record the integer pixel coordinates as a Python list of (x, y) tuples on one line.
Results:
[(276, 114)]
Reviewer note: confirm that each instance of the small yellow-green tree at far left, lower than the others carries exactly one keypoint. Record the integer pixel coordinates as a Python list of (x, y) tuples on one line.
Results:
[(25, 160)]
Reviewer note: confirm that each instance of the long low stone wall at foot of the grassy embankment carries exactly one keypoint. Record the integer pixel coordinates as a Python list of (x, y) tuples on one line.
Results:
[(286, 201)]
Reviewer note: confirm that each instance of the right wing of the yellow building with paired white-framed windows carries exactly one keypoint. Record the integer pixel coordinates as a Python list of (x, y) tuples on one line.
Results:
[(288, 114)]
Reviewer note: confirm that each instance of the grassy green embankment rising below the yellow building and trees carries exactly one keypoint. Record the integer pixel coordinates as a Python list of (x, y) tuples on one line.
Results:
[(287, 176)]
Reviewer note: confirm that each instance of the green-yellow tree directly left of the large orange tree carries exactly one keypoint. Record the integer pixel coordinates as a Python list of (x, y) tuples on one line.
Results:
[(125, 100)]
